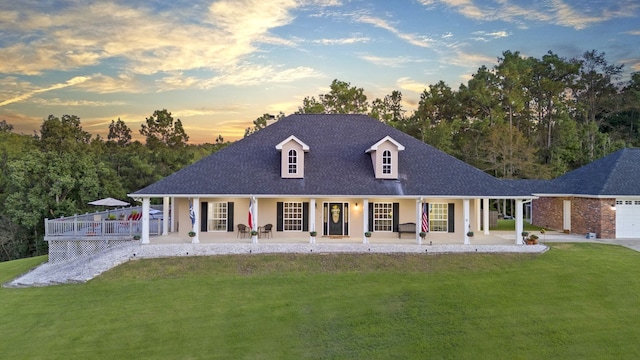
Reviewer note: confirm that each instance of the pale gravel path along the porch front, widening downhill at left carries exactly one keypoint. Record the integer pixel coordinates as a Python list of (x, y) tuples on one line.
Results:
[(85, 269)]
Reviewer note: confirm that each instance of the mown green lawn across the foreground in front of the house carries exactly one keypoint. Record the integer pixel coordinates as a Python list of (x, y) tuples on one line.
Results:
[(577, 301)]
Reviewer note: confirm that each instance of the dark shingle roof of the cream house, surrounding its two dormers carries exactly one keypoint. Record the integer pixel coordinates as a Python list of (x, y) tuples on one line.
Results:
[(335, 165)]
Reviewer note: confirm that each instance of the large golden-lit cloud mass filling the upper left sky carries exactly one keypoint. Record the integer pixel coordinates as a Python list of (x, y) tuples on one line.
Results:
[(138, 40)]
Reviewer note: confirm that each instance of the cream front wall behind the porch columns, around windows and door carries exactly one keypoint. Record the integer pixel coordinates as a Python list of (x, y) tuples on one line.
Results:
[(267, 214)]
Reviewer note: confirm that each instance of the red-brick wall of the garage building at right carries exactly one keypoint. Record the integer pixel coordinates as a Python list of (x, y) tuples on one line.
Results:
[(587, 215)]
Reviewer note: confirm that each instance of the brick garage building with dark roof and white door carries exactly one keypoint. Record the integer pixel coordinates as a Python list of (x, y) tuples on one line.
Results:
[(601, 198)]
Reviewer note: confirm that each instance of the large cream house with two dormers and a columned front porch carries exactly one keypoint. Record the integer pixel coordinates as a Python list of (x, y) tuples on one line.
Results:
[(338, 175)]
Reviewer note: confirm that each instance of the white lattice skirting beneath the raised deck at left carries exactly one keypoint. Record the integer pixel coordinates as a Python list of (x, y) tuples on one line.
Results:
[(67, 250)]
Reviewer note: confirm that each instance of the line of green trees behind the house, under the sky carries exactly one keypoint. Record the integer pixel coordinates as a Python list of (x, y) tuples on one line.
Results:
[(525, 117)]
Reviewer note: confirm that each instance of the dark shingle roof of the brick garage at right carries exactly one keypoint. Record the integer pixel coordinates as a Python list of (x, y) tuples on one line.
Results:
[(616, 174)]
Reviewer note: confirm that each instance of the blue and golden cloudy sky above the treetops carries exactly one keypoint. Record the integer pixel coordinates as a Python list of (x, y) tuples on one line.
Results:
[(218, 65)]
